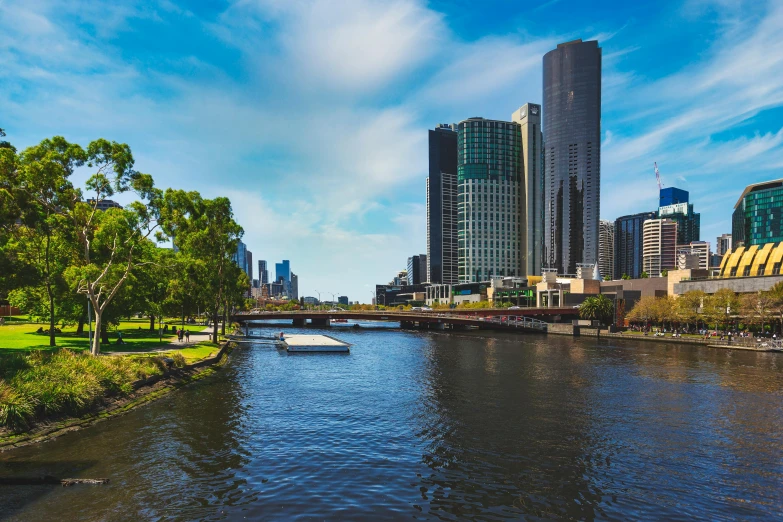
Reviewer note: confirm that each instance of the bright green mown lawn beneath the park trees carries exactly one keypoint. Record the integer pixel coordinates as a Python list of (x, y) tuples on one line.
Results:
[(135, 333)]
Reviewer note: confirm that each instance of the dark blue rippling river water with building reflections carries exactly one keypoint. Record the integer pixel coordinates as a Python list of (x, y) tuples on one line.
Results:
[(435, 426)]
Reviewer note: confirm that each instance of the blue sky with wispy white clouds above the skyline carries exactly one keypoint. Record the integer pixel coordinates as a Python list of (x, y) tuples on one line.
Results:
[(312, 115)]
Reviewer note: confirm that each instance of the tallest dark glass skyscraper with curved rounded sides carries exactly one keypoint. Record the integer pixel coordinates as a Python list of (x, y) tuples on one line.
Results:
[(572, 154)]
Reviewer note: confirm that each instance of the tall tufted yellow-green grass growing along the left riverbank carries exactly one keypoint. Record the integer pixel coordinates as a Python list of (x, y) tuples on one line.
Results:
[(42, 384)]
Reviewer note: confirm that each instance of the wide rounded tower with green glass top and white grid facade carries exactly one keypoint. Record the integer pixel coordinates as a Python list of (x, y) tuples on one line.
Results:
[(489, 199)]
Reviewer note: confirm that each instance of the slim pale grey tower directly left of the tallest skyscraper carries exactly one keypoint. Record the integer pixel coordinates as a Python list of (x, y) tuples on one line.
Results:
[(529, 118)]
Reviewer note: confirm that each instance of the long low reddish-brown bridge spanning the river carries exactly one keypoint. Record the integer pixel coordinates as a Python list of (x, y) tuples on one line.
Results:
[(524, 319)]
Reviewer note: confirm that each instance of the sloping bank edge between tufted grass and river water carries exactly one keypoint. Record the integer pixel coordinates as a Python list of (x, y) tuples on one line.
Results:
[(140, 392)]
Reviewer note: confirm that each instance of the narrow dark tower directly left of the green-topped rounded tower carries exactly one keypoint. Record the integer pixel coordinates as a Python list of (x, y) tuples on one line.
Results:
[(442, 260)]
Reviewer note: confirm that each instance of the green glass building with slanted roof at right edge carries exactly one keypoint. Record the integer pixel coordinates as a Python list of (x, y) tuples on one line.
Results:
[(758, 215)]
